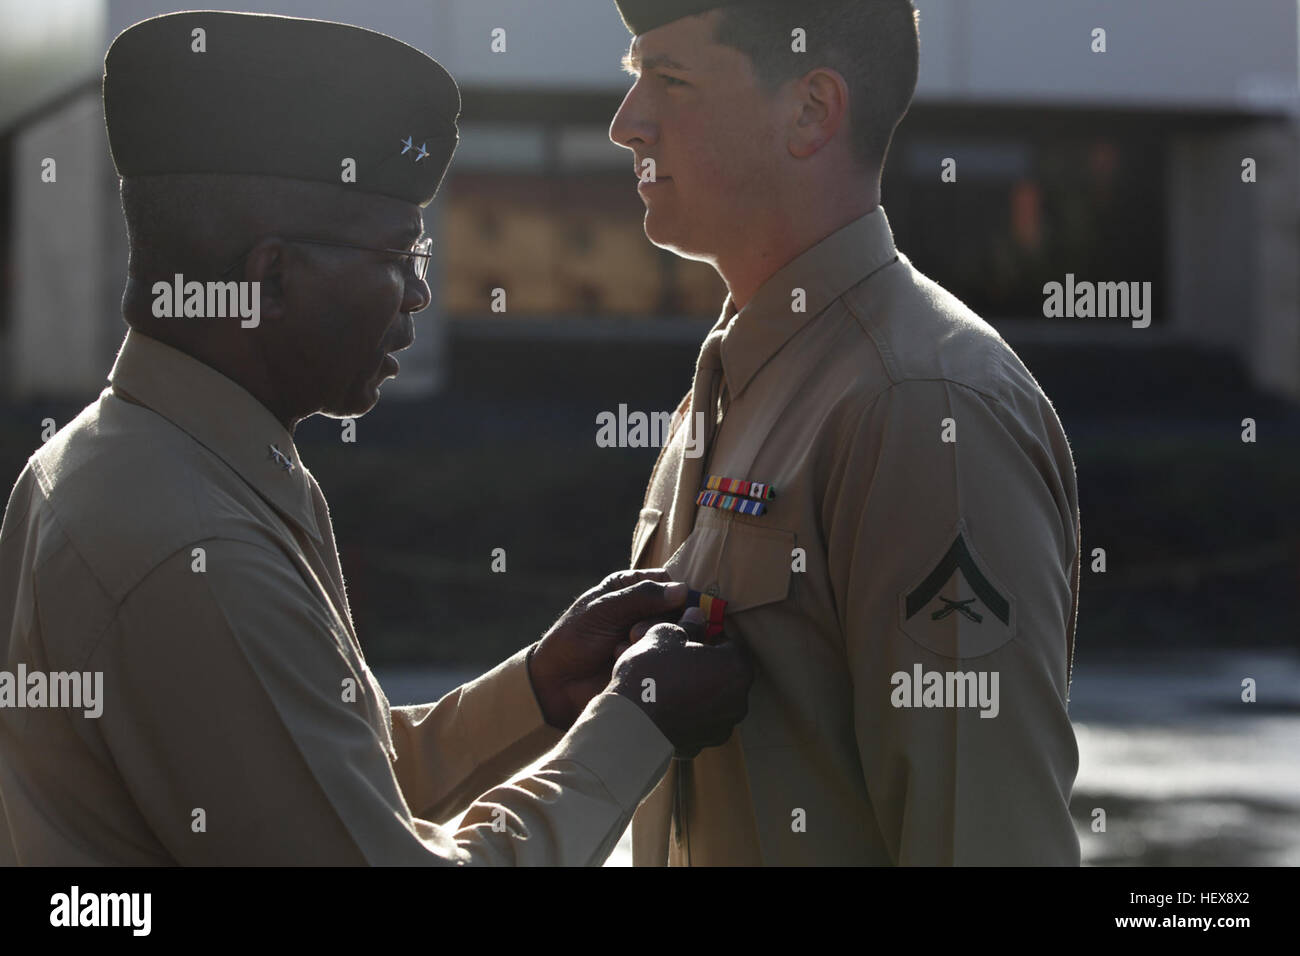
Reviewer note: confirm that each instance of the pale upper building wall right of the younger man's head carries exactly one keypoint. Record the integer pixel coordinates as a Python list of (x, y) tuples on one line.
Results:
[(1160, 53)]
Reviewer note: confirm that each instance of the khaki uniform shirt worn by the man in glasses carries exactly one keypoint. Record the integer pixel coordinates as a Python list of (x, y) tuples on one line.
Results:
[(161, 542)]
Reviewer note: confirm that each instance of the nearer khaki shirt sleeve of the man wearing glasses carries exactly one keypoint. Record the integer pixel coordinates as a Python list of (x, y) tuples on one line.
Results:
[(246, 734)]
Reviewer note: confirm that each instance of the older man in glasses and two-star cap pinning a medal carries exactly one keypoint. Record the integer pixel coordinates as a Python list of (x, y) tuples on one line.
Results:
[(171, 544)]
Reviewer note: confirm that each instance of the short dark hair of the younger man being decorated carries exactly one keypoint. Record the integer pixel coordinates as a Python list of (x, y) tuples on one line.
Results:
[(874, 45)]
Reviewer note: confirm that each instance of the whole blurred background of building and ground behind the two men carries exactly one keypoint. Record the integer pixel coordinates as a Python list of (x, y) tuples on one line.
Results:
[(1125, 166)]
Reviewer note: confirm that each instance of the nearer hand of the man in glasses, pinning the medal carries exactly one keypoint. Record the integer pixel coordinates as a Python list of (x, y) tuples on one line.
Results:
[(695, 693)]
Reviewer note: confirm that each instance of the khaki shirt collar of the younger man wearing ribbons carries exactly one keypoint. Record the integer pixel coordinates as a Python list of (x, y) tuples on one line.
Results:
[(825, 272)]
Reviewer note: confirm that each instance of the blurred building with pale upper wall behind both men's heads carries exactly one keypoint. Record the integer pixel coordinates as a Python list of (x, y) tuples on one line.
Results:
[(1125, 166)]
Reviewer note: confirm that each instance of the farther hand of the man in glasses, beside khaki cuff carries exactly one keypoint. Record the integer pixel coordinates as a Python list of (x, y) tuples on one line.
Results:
[(574, 661)]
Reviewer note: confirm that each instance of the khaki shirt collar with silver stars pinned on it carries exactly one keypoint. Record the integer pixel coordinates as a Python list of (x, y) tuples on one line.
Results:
[(222, 417)]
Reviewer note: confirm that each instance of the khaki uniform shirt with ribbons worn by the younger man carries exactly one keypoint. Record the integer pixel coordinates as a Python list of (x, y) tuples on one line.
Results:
[(887, 555)]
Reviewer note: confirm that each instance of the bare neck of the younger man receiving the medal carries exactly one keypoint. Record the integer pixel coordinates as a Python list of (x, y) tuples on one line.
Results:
[(785, 237)]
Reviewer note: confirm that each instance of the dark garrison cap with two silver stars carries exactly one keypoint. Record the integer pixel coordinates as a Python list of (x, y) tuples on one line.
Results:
[(268, 96)]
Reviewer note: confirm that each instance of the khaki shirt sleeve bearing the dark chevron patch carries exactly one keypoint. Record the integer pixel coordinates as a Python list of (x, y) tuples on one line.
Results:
[(952, 527)]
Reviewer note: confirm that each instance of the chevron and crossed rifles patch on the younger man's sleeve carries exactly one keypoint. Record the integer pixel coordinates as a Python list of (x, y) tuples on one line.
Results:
[(959, 609)]
